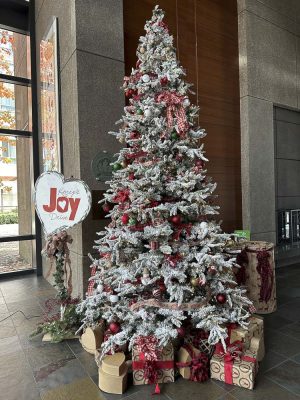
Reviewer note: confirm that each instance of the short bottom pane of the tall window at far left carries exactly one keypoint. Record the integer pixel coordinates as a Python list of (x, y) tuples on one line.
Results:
[(16, 256)]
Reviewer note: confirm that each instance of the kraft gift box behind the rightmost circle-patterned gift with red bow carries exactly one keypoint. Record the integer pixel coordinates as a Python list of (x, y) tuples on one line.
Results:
[(255, 329)]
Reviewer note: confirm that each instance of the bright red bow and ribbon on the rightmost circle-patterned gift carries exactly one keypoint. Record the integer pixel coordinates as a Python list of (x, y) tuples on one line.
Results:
[(233, 352)]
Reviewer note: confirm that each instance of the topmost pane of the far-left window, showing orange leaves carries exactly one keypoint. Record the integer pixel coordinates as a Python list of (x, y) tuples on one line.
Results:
[(14, 54)]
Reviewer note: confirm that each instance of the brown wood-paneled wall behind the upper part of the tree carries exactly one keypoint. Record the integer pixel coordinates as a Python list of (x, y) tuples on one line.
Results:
[(206, 36)]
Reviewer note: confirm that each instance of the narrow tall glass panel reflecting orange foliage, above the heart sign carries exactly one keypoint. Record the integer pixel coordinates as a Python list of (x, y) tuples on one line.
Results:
[(49, 100)]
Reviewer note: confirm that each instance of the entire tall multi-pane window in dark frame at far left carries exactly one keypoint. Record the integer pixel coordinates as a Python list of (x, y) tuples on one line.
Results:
[(17, 228)]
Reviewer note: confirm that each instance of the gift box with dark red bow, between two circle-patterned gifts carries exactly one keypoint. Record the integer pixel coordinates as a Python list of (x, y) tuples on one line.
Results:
[(193, 364)]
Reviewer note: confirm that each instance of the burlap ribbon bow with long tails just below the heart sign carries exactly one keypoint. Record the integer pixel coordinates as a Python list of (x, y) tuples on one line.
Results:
[(57, 244)]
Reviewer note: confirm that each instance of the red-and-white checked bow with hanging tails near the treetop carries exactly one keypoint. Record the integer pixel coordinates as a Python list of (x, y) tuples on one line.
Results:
[(174, 103)]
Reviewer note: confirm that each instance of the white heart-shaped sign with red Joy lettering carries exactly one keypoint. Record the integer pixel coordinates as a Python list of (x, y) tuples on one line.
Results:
[(60, 203)]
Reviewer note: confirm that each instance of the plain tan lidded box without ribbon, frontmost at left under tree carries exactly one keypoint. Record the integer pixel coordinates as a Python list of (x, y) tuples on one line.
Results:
[(113, 373)]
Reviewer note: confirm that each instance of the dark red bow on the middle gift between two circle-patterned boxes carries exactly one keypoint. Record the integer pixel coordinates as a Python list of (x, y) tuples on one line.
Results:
[(199, 365)]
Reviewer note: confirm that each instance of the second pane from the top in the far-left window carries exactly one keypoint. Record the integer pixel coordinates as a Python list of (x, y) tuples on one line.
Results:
[(15, 107)]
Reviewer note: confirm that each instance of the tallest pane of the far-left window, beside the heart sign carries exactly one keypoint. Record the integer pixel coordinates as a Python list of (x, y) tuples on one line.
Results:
[(16, 208)]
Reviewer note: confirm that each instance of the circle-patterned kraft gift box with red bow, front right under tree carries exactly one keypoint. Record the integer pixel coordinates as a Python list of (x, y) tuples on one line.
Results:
[(234, 369)]
